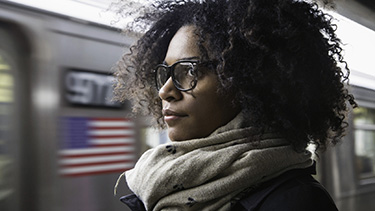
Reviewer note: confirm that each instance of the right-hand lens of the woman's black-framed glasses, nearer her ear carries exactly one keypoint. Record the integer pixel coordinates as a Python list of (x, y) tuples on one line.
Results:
[(185, 75)]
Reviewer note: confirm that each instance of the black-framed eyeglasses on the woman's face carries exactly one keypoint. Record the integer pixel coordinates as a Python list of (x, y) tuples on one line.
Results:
[(184, 75)]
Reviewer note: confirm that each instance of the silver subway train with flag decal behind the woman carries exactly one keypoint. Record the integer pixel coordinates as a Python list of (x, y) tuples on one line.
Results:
[(64, 143)]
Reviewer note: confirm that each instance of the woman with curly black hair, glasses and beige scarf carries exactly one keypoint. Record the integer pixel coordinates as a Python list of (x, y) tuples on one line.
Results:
[(243, 86)]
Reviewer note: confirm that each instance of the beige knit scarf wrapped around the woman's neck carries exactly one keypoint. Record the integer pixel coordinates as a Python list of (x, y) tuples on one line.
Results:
[(210, 173)]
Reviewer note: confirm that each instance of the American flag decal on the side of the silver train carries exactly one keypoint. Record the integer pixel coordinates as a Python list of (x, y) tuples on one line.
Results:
[(96, 146)]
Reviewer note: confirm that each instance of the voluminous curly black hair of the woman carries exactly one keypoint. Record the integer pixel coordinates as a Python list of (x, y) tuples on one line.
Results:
[(281, 58)]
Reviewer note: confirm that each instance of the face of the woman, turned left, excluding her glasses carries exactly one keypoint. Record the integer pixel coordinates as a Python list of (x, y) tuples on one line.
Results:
[(198, 112)]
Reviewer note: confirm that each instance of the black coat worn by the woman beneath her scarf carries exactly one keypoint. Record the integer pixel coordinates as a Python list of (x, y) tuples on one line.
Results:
[(295, 190)]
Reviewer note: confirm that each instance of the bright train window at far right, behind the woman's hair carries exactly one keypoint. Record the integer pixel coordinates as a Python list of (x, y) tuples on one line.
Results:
[(364, 134)]
